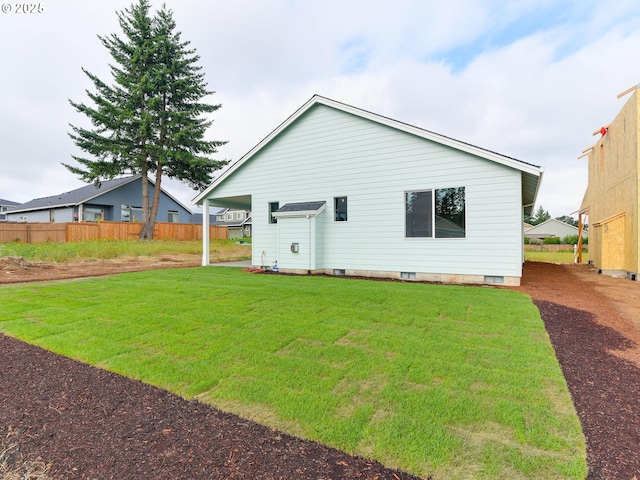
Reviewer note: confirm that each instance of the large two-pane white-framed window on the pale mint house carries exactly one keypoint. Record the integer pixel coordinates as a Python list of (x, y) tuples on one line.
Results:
[(435, 213)]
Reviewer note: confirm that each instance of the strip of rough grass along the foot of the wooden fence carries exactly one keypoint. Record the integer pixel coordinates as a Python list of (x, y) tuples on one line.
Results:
[(110, 249)]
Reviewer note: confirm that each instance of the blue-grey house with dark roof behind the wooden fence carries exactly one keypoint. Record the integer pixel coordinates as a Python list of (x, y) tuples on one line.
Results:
[(118, 200)]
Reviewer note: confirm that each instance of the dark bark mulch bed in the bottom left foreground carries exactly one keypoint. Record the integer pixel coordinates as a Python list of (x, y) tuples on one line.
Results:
[(89, 423)]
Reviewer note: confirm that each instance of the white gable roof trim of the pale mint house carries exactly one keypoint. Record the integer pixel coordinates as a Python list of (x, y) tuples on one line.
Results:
[(426, 134)]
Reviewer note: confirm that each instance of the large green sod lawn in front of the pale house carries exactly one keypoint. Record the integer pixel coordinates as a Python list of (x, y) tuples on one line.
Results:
[(449, 381)]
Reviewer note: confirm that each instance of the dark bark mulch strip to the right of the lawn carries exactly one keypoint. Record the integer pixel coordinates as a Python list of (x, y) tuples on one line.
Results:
[(604, 387)]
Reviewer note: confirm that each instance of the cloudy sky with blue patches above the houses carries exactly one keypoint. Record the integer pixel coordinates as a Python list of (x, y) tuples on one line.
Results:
[(530, 79)]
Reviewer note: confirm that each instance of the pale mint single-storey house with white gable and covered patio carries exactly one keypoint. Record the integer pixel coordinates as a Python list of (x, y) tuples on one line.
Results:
[(343, 191)]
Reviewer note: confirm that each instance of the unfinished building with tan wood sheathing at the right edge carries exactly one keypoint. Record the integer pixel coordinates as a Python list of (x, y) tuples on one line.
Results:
[(612, 198)]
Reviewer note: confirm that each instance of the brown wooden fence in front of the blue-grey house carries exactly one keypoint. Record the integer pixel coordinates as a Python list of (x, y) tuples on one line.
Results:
[(77, 232)]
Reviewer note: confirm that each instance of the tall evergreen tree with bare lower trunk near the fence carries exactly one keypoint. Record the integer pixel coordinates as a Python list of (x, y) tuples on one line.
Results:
[(150, 121)]
